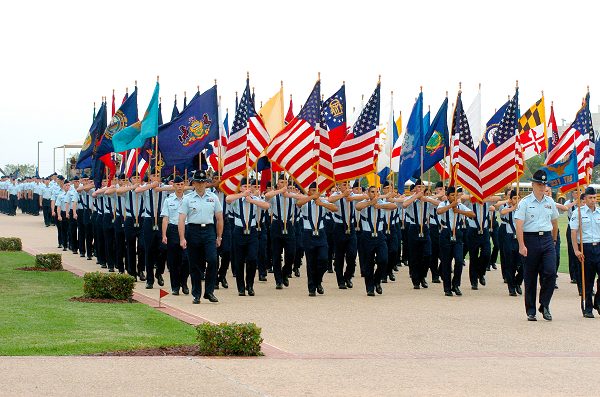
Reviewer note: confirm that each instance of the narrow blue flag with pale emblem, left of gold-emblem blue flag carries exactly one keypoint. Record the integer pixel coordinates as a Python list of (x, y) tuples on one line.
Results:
[(410, 156)]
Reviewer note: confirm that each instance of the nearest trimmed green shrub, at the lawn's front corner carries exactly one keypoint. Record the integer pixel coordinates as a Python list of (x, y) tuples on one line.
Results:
[(229, 339)]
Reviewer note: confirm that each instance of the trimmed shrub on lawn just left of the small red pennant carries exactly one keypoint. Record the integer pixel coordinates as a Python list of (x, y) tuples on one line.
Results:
[(108, 286)]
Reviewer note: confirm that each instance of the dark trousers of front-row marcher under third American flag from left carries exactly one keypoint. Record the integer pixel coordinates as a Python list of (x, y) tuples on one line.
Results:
[(374, 252)]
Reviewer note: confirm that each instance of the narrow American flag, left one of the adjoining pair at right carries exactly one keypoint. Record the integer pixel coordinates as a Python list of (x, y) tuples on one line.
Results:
[(466, 163)]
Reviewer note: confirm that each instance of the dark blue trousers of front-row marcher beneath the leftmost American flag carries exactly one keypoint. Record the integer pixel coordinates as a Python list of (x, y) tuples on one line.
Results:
[(246, 253)]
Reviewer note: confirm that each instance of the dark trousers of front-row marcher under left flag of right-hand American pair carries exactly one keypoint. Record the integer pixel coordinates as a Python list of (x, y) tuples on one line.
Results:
[(449, 250)]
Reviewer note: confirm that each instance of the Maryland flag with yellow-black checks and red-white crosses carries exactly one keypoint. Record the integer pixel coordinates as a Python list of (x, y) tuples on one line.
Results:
[(532, 130)]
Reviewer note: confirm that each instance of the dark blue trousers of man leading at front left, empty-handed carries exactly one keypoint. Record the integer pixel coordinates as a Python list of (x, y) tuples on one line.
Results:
[(202, 252)]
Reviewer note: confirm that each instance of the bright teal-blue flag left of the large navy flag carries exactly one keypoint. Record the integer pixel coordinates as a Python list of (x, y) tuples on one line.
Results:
[(134, 136)]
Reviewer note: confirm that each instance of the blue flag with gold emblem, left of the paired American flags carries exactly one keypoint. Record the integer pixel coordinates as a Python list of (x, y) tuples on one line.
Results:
[(437, 140)]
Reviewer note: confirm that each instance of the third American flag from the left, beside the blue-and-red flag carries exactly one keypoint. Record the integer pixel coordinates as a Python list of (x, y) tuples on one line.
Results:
[(357, 155)]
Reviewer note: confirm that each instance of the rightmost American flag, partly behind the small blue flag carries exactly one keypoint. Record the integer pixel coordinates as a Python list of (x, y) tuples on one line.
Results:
[(576, 136)]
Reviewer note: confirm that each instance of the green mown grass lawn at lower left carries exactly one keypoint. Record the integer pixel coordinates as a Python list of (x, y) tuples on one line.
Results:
[(37, 318)]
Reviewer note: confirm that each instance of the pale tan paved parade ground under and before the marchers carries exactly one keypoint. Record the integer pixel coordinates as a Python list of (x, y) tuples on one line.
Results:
[(404, 342)]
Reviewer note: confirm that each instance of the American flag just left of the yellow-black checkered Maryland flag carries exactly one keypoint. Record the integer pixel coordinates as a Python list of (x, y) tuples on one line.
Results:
[(503, 159)]
